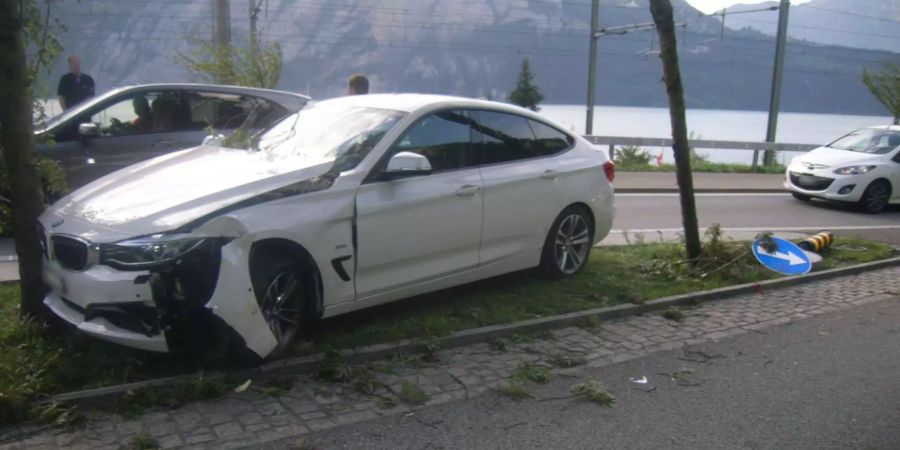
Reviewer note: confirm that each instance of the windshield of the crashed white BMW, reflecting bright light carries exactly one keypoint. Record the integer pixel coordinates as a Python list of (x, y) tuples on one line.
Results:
[(320, 133)]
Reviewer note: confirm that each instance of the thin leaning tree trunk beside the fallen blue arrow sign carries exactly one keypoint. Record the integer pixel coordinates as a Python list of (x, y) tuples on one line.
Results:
[(665, 26)]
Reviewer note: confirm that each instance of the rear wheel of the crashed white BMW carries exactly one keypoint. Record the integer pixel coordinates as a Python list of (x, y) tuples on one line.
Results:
[(568, 243)]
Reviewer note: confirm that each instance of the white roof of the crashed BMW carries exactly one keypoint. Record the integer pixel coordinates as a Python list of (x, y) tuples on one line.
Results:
[(408, 102)]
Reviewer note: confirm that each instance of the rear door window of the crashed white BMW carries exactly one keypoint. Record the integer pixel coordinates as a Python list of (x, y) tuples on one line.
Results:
[(500, 137)]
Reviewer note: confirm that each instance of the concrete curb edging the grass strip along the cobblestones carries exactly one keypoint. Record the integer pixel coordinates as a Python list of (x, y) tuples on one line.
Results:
[(363, 354)]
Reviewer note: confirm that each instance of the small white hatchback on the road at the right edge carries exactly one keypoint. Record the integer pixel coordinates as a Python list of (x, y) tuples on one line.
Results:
[(862, 167)]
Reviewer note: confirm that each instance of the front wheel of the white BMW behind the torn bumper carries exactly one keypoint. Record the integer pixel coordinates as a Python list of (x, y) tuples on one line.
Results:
[(280, 286)]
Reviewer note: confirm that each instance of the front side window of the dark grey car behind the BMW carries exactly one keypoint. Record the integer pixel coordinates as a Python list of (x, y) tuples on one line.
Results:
[(139, 113)]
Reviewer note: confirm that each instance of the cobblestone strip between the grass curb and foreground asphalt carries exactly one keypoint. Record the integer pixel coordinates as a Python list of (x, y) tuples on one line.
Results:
[(397, 385)]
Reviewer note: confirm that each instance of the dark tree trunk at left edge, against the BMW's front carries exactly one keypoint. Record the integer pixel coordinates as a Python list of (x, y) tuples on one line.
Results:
[(17, 142)]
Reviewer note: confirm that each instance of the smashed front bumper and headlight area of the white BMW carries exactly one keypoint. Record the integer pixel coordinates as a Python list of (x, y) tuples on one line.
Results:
[(197, 304)]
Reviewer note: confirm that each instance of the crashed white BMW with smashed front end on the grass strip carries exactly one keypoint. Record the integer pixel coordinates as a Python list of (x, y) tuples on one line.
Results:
[(349, 203)]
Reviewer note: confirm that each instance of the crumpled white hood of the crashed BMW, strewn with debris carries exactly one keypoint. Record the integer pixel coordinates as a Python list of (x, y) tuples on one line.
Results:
[(169, 191)]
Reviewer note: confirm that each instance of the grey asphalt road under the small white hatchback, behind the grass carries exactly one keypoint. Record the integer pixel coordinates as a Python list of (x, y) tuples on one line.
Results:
[(765, 212)]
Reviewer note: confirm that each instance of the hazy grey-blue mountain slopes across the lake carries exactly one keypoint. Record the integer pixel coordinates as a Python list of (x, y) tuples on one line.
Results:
[(472, 48)]
